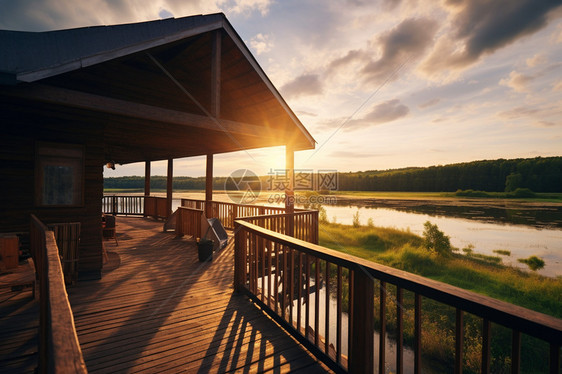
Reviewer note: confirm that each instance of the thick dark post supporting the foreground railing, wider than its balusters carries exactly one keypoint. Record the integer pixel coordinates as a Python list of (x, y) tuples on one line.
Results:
[(362, 345)]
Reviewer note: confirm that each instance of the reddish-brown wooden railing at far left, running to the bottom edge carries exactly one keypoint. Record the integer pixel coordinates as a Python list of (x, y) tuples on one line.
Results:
[(59, 349)]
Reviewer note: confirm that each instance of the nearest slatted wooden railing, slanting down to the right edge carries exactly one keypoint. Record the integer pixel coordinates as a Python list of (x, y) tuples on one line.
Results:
[(281, 274)]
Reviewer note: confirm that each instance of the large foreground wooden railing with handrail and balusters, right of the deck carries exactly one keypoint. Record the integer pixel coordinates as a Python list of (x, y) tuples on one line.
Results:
[(256, 246)]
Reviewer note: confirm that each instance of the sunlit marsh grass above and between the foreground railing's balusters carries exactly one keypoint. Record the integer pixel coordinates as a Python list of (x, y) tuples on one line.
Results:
[(478, 273)]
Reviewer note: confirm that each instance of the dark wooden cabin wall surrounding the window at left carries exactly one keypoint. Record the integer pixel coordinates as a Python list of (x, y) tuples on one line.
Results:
[(23, 124)]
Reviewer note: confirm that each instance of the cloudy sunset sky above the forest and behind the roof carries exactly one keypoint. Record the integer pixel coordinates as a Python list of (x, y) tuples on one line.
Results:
[(379, 84)]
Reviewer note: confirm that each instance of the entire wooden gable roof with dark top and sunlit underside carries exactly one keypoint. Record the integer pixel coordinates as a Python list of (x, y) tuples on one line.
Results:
[(161, 89)]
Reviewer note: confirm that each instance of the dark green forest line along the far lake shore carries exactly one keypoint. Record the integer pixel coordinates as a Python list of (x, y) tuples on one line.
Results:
[(540, 174)]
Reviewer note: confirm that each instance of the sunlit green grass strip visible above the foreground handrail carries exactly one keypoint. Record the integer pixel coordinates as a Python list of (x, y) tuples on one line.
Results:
[(478, 273)]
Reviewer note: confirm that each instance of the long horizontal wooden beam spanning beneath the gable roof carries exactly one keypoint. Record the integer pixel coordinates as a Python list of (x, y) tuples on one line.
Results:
[(83, 100)]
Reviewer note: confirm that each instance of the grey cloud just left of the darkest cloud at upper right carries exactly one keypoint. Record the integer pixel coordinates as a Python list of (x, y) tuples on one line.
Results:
[(408, 40)]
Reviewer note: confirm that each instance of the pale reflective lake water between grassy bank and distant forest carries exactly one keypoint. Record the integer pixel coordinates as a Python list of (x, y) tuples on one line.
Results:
[(523, 231)]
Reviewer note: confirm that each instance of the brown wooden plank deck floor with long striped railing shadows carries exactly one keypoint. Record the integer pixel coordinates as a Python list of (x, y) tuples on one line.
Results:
[(157, 309)]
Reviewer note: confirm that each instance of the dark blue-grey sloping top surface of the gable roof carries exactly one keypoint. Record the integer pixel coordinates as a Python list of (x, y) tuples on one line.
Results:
[(31, 56)]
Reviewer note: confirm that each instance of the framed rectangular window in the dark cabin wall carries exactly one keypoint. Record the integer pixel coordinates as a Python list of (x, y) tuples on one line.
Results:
[(59, 179)]
